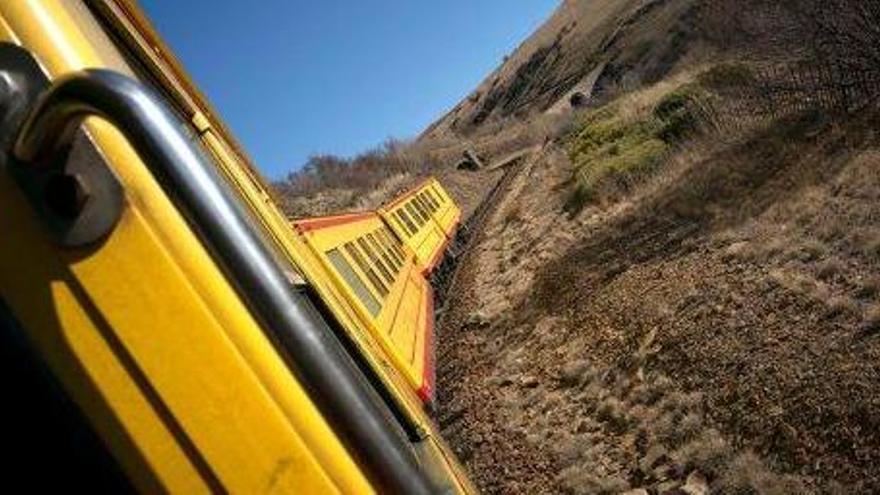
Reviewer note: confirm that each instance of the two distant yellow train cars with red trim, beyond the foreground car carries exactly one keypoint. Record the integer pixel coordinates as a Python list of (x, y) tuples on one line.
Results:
[(378, 262)]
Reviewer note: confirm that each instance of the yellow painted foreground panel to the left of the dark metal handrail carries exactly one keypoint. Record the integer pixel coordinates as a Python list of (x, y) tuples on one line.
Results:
[(150, 303)]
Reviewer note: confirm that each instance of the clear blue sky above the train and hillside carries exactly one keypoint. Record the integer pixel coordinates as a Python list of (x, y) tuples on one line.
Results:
[(294, 78)]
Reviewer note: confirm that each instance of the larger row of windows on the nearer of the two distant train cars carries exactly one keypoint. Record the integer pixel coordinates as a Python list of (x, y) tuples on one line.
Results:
[(379, 255)]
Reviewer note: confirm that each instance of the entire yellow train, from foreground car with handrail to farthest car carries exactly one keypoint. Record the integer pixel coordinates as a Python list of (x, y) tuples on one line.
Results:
[(164, 327)]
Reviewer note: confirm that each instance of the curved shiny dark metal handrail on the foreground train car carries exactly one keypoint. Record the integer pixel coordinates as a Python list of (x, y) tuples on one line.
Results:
[(355, 411)]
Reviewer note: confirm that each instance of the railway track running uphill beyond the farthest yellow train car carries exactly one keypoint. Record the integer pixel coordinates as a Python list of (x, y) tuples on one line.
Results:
[(445, 276)]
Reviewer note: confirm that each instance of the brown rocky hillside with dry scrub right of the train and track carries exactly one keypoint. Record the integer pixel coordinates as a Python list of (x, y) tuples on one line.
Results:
[(679, 293)]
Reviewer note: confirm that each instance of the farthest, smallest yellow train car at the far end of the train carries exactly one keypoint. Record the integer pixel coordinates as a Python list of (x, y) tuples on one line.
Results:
[(413, 218)]
